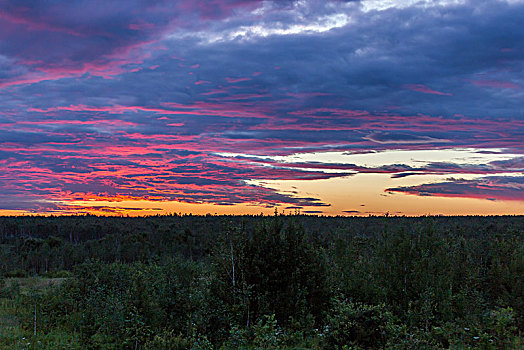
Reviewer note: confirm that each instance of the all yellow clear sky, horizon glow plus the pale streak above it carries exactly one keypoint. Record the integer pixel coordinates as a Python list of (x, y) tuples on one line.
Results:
[(358, 194)]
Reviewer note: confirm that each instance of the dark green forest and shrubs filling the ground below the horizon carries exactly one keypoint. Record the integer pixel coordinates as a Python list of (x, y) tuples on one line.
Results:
[(220, 282)]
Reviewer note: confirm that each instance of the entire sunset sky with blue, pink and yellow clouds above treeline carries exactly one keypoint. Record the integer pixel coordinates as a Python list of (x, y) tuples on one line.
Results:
[(331, 107)]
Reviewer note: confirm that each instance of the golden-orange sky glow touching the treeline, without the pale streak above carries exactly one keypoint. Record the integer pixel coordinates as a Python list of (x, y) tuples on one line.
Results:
[(361, 194)]
